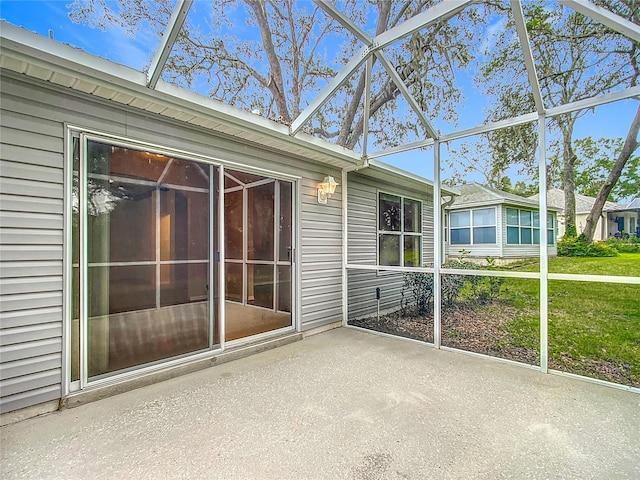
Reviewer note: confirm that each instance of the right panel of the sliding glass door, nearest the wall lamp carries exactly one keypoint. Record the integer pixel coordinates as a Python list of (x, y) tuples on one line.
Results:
[(258, 254)]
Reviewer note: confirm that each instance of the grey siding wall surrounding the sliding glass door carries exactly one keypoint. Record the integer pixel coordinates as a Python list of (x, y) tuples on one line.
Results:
[(32, 173)]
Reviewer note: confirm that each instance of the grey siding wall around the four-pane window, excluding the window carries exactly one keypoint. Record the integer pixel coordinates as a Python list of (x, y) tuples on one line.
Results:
[(362, 221)]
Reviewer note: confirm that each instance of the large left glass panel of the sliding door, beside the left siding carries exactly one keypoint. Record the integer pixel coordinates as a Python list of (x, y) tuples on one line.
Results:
[(147, 235)]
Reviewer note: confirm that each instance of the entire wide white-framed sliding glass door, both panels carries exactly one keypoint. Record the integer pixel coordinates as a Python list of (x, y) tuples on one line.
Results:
[(145, 257)]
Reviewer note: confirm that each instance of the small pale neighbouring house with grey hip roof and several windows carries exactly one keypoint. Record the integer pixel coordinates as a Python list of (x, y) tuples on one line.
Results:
[(485, 222)]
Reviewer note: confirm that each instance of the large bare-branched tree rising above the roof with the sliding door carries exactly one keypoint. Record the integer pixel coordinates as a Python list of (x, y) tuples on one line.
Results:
[(289, 50)]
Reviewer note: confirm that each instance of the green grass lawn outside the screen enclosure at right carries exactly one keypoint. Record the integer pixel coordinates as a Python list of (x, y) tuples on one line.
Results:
[(594, 328)]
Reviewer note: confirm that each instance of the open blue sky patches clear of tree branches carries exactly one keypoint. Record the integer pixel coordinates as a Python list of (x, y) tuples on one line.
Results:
[(44, 16)]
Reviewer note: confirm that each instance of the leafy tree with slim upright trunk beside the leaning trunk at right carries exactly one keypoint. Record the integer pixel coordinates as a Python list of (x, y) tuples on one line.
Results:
[(576, 58)]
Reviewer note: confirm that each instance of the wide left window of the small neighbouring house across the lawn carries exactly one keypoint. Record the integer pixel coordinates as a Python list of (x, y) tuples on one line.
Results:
[(477, 227)]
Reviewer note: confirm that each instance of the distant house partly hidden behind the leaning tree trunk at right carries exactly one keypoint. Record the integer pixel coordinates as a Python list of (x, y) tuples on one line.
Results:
[(607, 225)]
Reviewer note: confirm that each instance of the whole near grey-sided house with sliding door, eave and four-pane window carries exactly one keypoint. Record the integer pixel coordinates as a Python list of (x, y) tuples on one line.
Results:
[(148, 231)]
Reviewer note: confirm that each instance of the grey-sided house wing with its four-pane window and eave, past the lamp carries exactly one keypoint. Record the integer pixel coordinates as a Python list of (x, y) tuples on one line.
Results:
[(390, 223)]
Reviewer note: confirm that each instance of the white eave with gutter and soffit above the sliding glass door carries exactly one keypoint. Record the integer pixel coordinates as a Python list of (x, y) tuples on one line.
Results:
[(39, 57)]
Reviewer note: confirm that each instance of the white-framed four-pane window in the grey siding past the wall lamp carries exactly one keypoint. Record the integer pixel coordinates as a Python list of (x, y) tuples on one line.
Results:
[(399, 231)]
